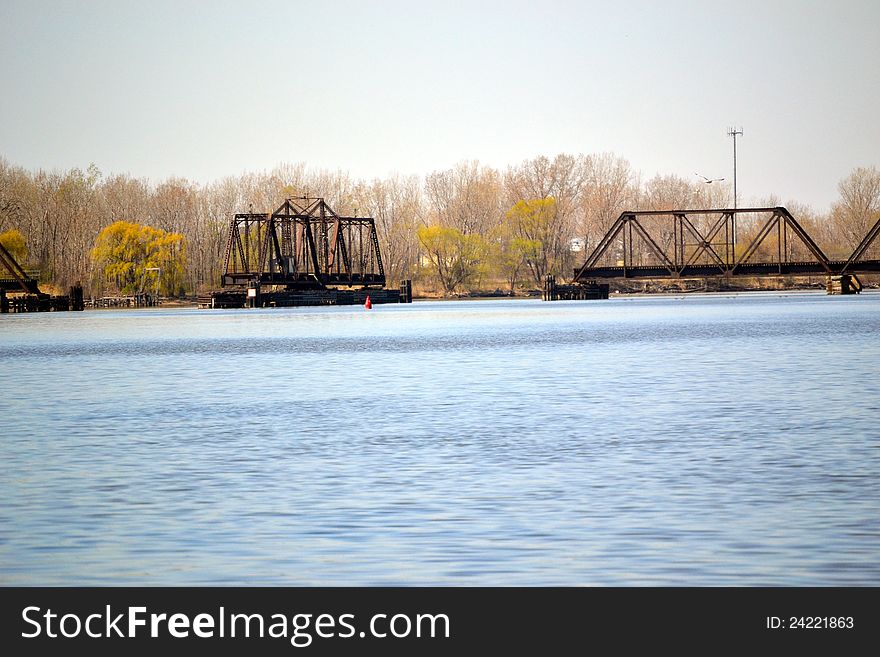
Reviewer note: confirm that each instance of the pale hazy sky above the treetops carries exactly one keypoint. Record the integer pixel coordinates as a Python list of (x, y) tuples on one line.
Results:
[(204, 90)]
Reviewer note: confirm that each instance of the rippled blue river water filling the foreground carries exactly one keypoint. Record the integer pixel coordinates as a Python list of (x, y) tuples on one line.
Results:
[(690, 440)]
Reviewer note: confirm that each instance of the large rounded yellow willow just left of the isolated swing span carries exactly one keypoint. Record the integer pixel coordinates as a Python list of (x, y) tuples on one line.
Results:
[(128, 255)]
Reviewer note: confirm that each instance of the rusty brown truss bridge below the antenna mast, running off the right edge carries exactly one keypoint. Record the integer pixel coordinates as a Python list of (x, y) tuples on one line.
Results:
[(712, 243)]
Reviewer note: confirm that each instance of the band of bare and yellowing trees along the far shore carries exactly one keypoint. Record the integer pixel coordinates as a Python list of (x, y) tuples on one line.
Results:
[(471, 226)]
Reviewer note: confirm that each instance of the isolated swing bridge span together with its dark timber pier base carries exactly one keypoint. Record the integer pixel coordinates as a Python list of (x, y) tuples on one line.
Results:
[(306, 254)]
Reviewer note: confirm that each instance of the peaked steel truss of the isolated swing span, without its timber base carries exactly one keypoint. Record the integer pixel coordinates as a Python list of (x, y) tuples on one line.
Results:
[(303, 245)]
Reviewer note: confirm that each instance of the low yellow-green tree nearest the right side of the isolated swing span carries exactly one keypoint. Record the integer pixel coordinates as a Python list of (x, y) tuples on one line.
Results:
[(455, 258)]
